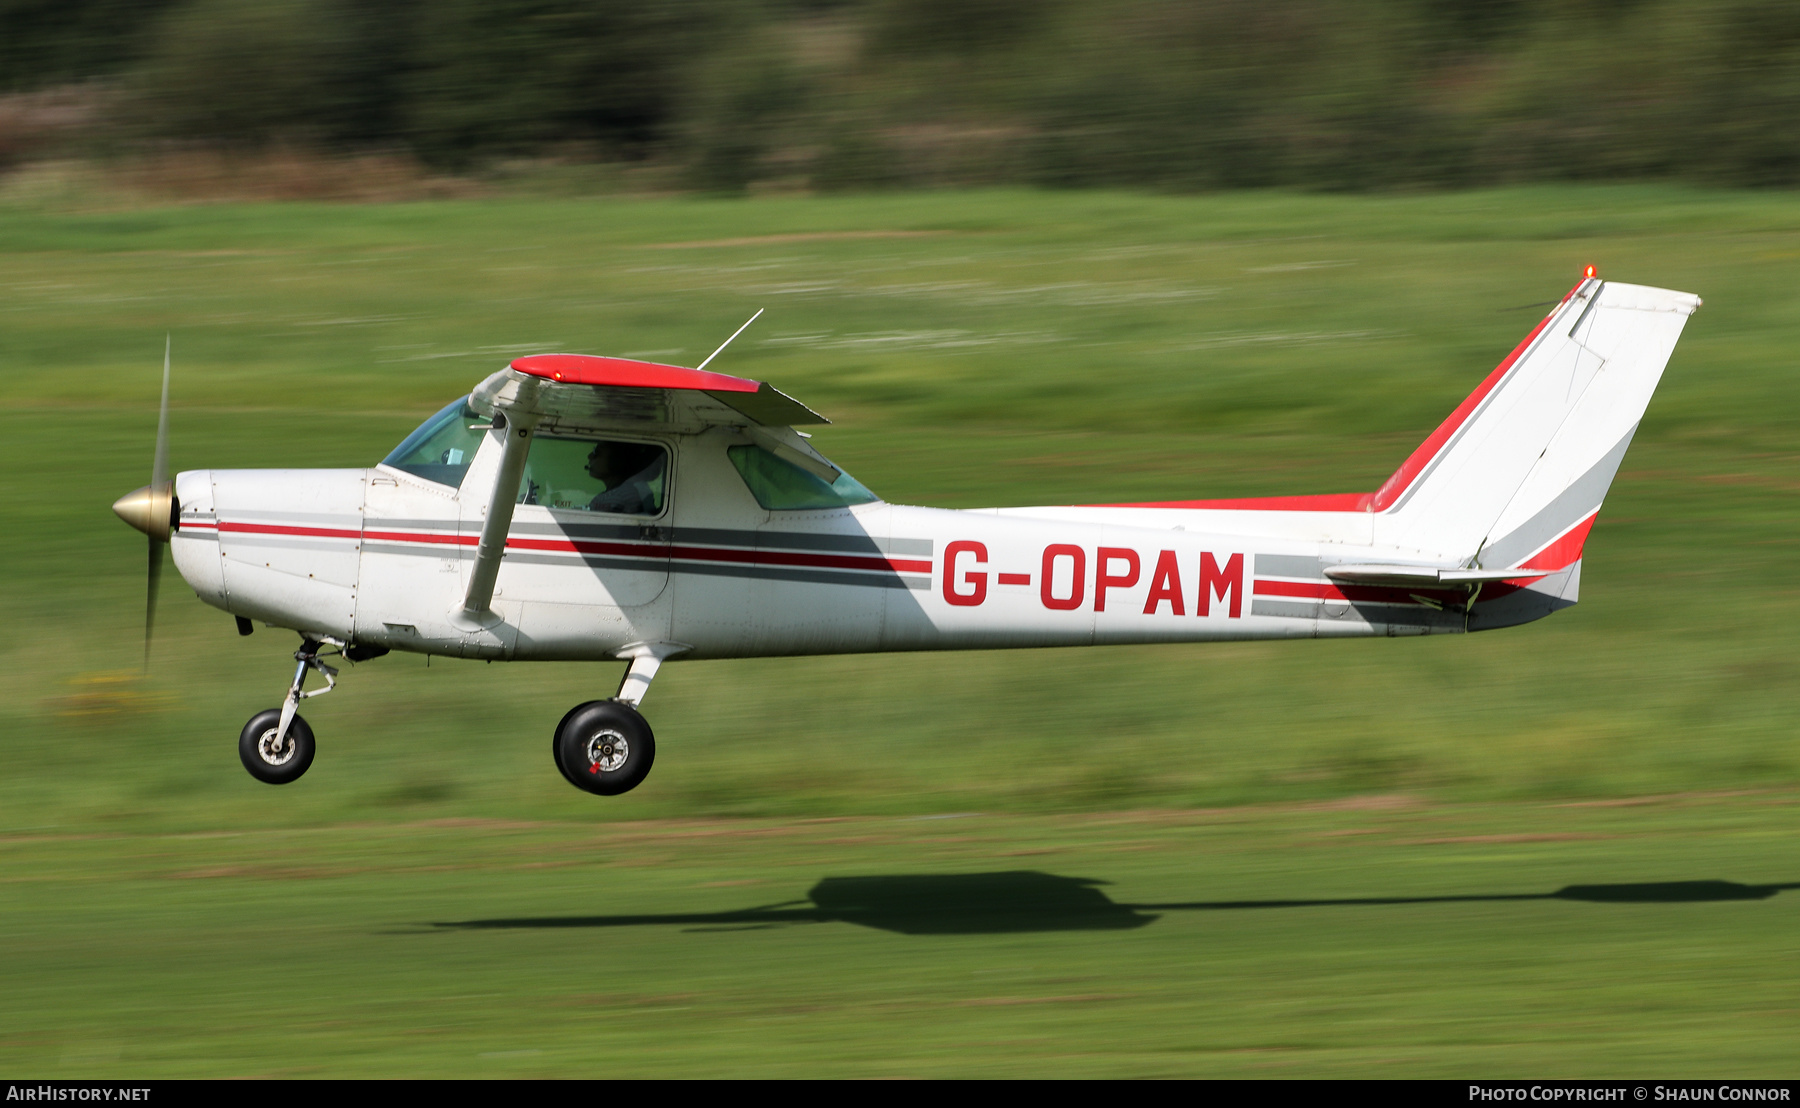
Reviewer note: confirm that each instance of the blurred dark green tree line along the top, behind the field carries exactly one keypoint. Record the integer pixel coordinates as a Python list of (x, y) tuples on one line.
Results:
[(856, 94)]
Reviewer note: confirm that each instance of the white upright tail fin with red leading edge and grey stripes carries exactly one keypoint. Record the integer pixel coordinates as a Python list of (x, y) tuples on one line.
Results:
[(1518, 472)]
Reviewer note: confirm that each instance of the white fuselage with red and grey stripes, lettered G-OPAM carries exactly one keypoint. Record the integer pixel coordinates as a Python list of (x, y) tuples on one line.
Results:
[(382, 558)]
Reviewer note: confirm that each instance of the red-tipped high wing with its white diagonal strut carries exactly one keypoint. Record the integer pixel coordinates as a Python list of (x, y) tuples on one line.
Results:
[(575, 393)]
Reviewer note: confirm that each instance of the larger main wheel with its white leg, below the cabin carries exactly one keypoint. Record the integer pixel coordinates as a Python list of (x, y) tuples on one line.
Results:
[(606, 746)]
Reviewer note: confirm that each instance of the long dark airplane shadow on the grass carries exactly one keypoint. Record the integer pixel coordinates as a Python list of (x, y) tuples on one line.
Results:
[(1038, 902)]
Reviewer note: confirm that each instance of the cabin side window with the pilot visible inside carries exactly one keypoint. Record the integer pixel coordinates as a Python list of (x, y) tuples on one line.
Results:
[(627, 479)]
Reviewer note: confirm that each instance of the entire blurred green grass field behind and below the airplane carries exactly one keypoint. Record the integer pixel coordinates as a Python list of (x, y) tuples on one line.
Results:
[(166, 915)]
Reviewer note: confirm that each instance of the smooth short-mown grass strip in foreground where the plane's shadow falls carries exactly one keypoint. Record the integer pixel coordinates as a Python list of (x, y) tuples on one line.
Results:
[(1358, 940)]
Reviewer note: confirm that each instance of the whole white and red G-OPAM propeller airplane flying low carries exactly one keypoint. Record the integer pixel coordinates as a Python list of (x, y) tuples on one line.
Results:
[(582, 508)]
